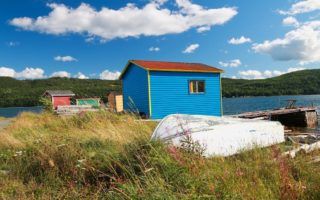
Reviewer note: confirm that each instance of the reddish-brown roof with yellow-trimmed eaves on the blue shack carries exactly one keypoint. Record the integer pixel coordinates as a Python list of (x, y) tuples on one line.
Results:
[(173, 66)]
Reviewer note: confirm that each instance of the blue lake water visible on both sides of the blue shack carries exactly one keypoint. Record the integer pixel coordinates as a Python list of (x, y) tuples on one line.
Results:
[(230, 105)]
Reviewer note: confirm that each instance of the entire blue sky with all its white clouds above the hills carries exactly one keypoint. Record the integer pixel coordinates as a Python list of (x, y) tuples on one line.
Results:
[(96, 38)]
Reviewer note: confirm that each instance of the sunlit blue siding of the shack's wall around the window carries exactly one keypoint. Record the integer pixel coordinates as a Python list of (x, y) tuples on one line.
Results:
[(170, 94)]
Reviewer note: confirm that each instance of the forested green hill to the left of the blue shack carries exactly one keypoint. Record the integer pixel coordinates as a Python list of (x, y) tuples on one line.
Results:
[(27, 92)]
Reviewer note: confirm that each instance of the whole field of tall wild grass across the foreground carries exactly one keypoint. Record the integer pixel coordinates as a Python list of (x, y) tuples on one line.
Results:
[(107, 156)]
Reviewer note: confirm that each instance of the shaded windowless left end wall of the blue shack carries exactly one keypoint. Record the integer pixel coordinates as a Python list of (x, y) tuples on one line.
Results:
[(135, 89)]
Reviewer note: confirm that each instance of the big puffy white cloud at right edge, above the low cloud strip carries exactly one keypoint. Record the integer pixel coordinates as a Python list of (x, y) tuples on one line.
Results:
[(302, 44)]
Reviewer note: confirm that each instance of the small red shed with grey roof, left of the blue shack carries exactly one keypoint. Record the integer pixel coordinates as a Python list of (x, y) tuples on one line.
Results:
[(59, 97)]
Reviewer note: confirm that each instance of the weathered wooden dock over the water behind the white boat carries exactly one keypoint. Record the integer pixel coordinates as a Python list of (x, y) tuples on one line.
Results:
[(291, 117)]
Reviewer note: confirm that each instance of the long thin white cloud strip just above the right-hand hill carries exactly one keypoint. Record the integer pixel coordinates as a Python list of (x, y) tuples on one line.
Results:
[(255, 74)]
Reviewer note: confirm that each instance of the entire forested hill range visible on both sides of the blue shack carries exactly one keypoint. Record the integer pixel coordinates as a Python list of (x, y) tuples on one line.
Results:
[(27, 92)]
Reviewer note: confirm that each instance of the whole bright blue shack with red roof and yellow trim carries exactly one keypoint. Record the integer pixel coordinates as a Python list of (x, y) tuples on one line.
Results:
[(157, 89)]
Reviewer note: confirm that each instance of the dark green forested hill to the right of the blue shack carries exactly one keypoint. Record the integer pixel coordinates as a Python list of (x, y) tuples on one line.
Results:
[(295, 83)]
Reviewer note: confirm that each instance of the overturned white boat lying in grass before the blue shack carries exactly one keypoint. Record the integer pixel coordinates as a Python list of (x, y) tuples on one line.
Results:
[(219, 136)]
